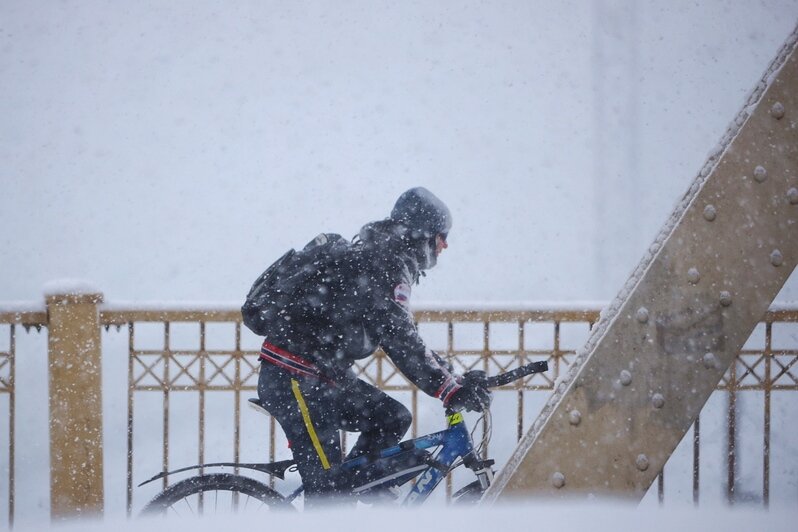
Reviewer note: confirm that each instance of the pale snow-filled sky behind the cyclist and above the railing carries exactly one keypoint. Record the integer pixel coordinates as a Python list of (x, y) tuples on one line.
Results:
[(168, 151)]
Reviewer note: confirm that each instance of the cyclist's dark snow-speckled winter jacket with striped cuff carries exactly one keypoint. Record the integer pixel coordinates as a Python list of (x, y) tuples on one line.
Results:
[(361, 302)]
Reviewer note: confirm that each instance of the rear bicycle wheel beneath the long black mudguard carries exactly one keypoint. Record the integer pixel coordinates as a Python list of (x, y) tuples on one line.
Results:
[(181, 493)]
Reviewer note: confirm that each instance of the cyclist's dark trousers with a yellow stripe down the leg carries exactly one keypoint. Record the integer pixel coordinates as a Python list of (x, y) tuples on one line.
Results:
[(312, 412)]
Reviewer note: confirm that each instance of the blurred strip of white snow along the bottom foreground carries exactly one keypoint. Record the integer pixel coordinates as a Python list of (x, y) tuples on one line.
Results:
[(511, 518)]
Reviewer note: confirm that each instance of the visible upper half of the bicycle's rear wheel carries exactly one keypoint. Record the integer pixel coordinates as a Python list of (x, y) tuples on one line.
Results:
[(218, 493)]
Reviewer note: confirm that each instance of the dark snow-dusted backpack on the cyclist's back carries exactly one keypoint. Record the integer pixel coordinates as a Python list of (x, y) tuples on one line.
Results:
[(297, 284)]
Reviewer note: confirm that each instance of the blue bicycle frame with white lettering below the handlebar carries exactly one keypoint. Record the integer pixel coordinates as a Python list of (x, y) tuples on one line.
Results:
[(455, 442)]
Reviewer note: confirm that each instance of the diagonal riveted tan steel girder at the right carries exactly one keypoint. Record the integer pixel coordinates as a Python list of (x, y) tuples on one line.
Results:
[(661, 348)]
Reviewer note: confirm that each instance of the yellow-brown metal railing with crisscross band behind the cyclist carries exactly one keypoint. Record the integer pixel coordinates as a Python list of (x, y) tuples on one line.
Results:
[(190, 371)]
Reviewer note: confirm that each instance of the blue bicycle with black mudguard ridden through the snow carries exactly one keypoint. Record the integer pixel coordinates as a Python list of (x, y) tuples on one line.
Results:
[(395, 466)]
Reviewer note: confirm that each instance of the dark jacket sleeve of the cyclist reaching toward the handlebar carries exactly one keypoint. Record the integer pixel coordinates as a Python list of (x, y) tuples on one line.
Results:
[(398, 336)]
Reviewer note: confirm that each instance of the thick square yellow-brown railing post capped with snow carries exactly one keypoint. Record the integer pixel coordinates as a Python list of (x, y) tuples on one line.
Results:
[(76, 429)]
